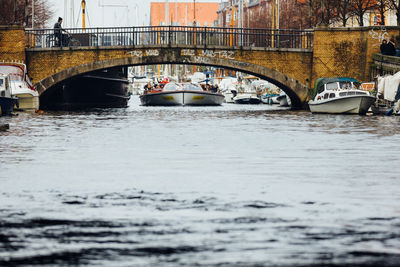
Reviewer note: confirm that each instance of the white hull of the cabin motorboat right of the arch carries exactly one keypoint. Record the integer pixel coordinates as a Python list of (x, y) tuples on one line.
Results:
[(345, 105)]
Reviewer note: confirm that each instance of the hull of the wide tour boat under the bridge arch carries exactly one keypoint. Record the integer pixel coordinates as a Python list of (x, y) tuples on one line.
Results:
[(179, 98)]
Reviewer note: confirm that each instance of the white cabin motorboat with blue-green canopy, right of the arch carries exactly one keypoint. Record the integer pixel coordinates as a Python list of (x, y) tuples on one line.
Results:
[(340, 96)]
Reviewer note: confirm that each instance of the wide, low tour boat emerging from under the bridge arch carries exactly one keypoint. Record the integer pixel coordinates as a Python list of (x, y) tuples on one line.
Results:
[(176, 94)]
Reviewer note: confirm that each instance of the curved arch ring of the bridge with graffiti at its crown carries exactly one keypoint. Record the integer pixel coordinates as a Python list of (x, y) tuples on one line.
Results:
[(294, 89)]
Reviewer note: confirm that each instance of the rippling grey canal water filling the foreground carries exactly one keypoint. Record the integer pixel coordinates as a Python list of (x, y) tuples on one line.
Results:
[(207, 186)]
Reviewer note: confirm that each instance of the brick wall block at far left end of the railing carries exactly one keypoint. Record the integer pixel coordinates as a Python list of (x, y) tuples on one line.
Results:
[(12, 43)]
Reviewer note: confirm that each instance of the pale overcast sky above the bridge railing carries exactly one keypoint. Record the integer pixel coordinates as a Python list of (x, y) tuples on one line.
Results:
[(107, 13)]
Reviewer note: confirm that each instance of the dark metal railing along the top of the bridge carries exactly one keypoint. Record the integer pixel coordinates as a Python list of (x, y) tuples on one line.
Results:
[(175, 35)]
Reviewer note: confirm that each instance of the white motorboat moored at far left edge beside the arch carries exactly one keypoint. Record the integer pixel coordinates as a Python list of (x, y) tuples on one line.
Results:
[(21, 87)]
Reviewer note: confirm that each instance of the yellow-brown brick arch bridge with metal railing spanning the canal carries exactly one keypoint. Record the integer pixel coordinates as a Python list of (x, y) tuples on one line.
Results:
[(290, 59)]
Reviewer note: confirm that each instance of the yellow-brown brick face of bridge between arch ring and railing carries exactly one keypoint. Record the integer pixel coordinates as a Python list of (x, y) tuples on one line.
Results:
[(46, 63)]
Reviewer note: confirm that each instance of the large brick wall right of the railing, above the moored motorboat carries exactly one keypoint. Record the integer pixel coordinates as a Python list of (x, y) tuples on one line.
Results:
[(347, 52)]
